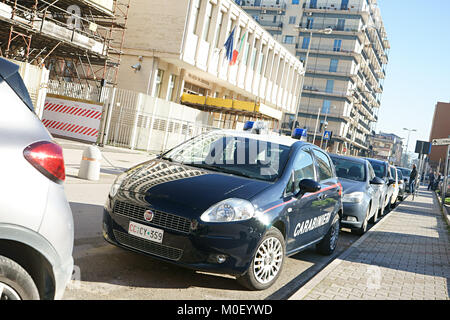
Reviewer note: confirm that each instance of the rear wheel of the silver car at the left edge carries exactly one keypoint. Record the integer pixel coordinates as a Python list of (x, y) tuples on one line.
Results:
[(15, 282)]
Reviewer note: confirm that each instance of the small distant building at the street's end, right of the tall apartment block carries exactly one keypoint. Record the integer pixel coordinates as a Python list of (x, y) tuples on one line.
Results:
[(386, 146)]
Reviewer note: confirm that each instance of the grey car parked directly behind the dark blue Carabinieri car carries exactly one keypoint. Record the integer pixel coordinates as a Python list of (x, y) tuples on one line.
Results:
[(362, 193)]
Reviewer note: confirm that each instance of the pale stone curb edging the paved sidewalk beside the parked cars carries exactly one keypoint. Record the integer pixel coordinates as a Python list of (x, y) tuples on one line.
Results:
[(312, 283)]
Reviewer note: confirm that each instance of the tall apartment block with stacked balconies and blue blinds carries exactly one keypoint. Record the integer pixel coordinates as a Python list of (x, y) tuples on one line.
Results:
[(344, 46)]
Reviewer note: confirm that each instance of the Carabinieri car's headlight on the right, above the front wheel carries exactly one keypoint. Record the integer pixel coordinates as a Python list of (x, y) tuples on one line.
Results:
[(229, 210)]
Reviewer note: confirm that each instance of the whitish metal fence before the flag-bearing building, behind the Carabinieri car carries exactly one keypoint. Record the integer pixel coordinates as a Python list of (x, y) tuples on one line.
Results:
[(138, 121)]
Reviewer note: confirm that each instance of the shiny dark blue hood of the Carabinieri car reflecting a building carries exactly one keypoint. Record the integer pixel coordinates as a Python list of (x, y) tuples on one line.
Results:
[(184, 190)]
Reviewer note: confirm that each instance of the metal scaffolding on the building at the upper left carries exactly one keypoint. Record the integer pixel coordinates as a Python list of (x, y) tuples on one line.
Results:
[(79, 42)]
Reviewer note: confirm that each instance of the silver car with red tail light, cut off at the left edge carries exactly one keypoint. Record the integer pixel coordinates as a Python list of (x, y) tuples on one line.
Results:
[(36, 223)]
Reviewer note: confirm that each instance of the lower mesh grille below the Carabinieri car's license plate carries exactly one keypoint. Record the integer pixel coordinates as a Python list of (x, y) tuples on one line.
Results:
[(147, 246)]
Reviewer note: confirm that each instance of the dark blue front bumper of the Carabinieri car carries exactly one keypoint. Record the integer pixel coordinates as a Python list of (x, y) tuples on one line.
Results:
[(197, 249)]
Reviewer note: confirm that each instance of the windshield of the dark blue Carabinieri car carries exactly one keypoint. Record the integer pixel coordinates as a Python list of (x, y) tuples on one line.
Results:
[(236, 155)]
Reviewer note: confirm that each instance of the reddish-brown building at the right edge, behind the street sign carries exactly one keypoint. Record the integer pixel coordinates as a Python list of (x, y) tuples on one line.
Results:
[(440, 129)]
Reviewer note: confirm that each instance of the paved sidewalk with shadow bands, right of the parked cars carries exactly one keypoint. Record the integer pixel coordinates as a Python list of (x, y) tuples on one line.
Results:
[(405, 256)]
